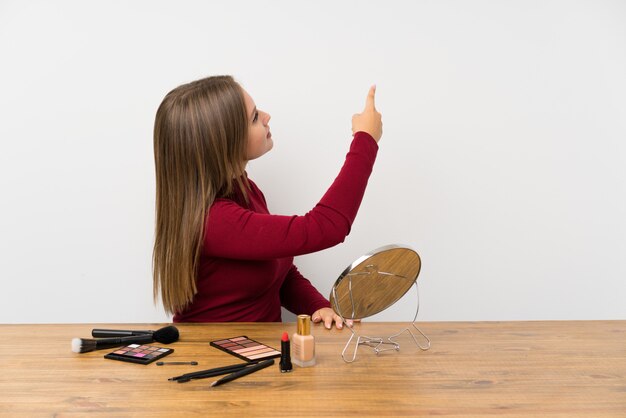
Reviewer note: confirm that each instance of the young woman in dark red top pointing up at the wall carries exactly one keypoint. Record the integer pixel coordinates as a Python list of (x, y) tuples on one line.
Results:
[(219, 255)]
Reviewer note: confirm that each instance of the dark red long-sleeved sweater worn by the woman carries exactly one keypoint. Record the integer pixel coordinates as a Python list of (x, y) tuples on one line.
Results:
[(246, 270)]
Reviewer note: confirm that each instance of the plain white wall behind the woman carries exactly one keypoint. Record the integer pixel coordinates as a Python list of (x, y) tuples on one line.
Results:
[(503, 159)]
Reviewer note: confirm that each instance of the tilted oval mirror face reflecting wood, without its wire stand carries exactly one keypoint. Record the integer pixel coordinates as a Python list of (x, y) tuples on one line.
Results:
[(375, 281)]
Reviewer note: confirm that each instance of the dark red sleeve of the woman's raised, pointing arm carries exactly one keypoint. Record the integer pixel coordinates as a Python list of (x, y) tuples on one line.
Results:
[(235, 232)]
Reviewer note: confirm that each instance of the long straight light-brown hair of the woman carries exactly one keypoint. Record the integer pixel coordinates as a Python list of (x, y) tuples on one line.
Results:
[(200, 134)]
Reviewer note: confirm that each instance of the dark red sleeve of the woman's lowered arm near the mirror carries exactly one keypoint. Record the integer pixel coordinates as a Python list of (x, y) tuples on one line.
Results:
[(299, 296)]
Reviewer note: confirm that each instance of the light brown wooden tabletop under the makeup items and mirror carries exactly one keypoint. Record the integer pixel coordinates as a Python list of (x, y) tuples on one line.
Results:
[(512, 369)]
